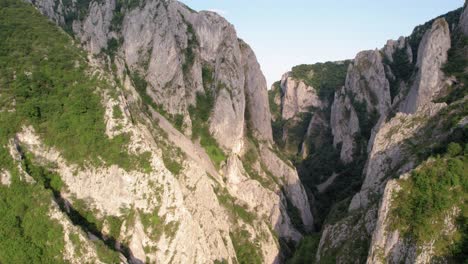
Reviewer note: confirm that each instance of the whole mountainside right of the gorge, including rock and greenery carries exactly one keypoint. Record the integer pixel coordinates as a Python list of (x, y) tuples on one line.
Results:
[(392, 116)]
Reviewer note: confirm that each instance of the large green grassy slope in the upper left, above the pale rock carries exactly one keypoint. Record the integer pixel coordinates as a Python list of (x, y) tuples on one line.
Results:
[(53, 92)]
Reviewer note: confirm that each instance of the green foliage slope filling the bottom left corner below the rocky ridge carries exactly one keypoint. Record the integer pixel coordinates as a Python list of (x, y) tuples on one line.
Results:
[(27, 234)]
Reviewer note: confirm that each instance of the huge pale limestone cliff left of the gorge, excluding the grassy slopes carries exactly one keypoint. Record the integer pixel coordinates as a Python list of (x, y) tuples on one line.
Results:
[(192, 100)]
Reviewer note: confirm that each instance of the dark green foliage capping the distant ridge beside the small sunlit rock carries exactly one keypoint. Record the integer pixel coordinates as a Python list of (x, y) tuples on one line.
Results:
[(324, 77)]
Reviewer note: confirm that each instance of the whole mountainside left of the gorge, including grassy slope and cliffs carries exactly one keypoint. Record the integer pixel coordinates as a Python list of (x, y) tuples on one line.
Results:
[(153, 143)]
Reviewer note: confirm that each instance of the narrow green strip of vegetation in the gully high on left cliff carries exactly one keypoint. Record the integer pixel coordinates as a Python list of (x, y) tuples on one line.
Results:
[(200, 115)]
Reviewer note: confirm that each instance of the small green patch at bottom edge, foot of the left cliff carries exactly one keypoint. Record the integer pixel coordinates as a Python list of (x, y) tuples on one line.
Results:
[(246, 251)]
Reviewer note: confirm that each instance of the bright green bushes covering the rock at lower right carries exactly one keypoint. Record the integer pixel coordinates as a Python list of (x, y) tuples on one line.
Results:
[(428, 195)]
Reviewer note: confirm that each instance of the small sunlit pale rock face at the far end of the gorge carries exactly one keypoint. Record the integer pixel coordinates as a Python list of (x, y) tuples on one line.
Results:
[(298, 97)]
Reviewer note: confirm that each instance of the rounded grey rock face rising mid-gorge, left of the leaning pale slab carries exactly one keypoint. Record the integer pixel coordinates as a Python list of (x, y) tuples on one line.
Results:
[(365, 96)]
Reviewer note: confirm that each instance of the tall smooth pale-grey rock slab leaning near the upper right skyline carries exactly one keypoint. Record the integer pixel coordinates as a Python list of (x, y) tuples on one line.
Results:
[(432, 54)]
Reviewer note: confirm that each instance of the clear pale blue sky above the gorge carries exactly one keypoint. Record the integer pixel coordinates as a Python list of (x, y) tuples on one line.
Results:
[(287, 33)]
